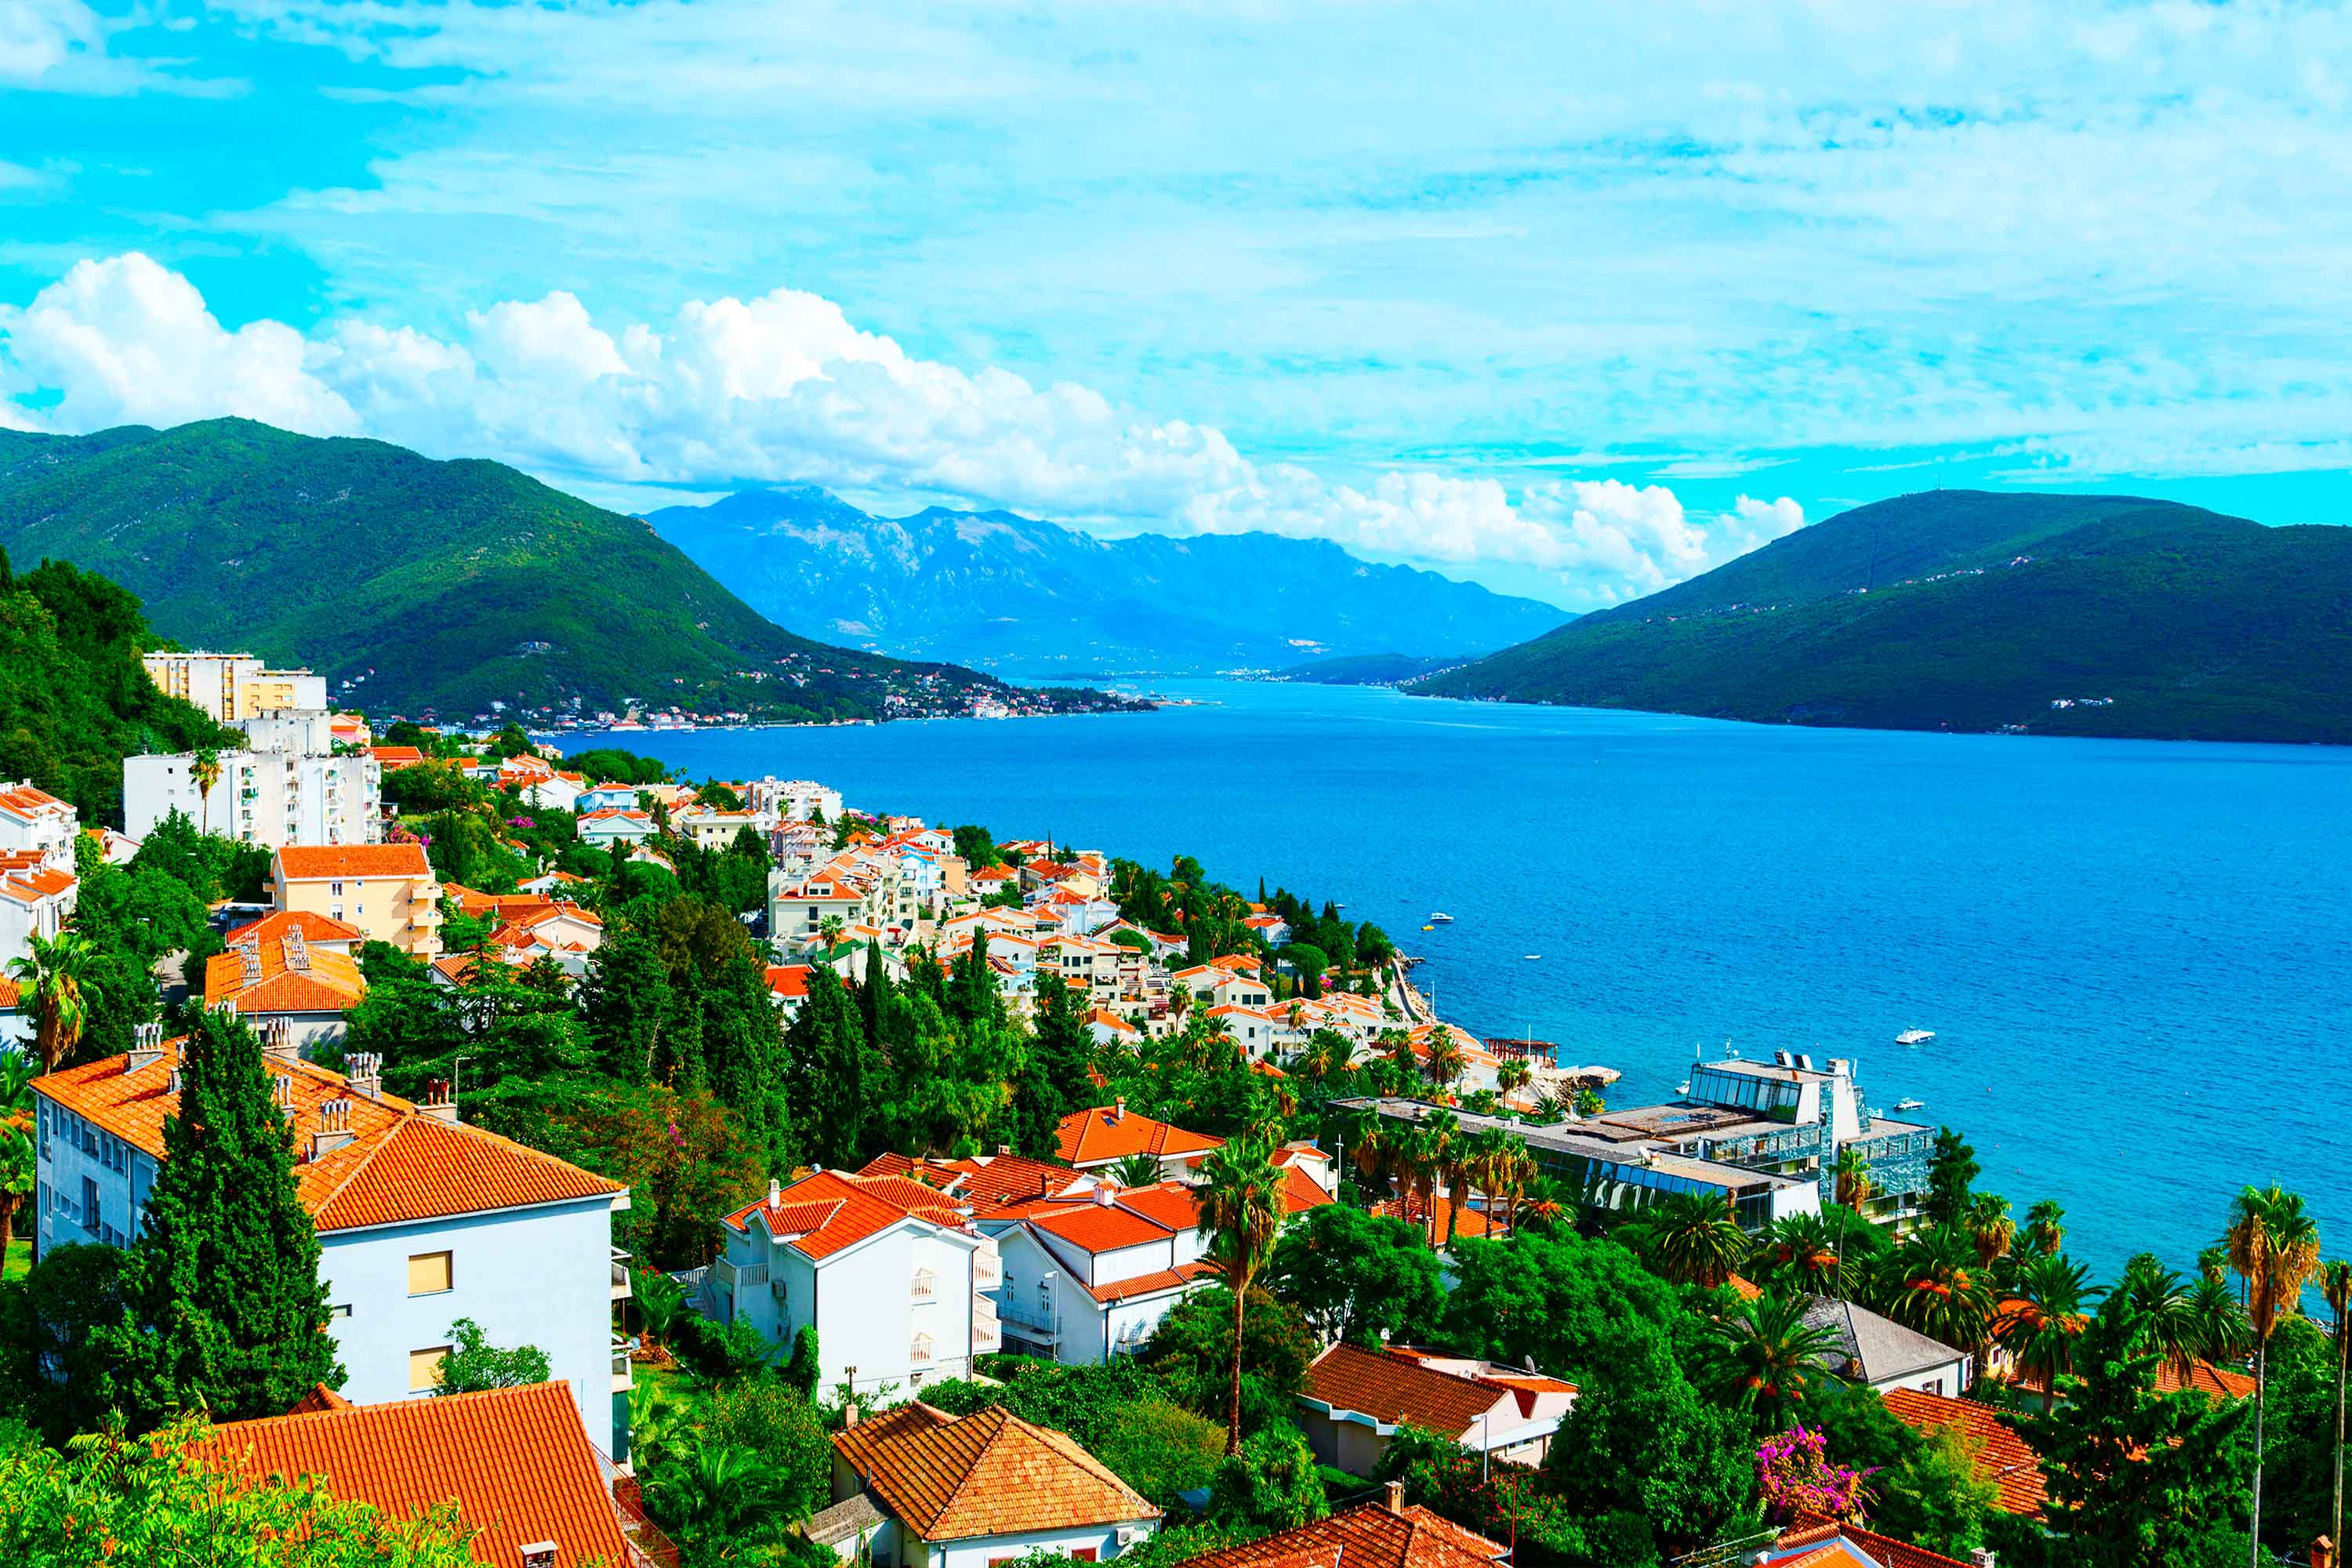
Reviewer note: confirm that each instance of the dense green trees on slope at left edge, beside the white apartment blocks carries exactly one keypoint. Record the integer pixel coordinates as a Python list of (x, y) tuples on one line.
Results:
[(74, 697)]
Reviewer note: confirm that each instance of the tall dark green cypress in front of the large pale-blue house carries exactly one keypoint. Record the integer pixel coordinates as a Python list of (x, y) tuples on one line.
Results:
[(222, 1304)]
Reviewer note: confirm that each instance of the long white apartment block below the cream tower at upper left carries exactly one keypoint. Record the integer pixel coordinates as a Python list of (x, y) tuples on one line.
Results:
[(269, 798)]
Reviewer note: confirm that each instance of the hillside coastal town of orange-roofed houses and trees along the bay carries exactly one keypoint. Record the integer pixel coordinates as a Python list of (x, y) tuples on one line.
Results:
[(566, 1162)]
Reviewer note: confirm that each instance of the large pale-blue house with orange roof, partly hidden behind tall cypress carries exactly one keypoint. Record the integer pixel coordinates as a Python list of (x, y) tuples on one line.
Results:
[(422, 1221)]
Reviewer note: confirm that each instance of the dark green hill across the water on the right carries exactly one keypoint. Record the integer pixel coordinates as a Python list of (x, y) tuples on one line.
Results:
[(1967, 610)]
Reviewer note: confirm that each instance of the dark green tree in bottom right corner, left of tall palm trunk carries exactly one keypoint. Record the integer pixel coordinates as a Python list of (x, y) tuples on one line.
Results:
[(2139, 1480)]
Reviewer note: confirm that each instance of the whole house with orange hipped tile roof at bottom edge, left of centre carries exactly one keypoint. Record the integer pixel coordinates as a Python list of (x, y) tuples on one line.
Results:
[(926, 1489)]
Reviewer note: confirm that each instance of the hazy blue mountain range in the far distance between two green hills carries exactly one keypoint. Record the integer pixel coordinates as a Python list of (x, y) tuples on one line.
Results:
[(1013, 594)]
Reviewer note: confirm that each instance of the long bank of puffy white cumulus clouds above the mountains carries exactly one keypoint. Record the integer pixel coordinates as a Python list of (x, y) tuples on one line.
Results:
[(787, 387)]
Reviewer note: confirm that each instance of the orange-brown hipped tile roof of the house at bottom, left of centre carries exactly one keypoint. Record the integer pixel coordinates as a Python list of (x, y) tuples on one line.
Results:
[(984, 1475)]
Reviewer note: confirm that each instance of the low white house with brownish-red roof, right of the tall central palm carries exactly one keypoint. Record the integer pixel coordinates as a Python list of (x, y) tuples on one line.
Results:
[(1358, 1400)]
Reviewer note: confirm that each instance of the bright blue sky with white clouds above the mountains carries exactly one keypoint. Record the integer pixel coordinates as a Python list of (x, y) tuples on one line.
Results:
[(1563, 300)]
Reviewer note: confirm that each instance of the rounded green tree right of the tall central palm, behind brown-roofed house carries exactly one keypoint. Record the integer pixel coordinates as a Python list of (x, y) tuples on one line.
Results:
[(1358, 1278)]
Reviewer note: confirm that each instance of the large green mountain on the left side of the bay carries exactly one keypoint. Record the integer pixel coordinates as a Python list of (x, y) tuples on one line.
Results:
[(429, 587)]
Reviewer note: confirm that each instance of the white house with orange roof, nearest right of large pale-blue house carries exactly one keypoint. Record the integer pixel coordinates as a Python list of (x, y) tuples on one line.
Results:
[(888, 1271)]
